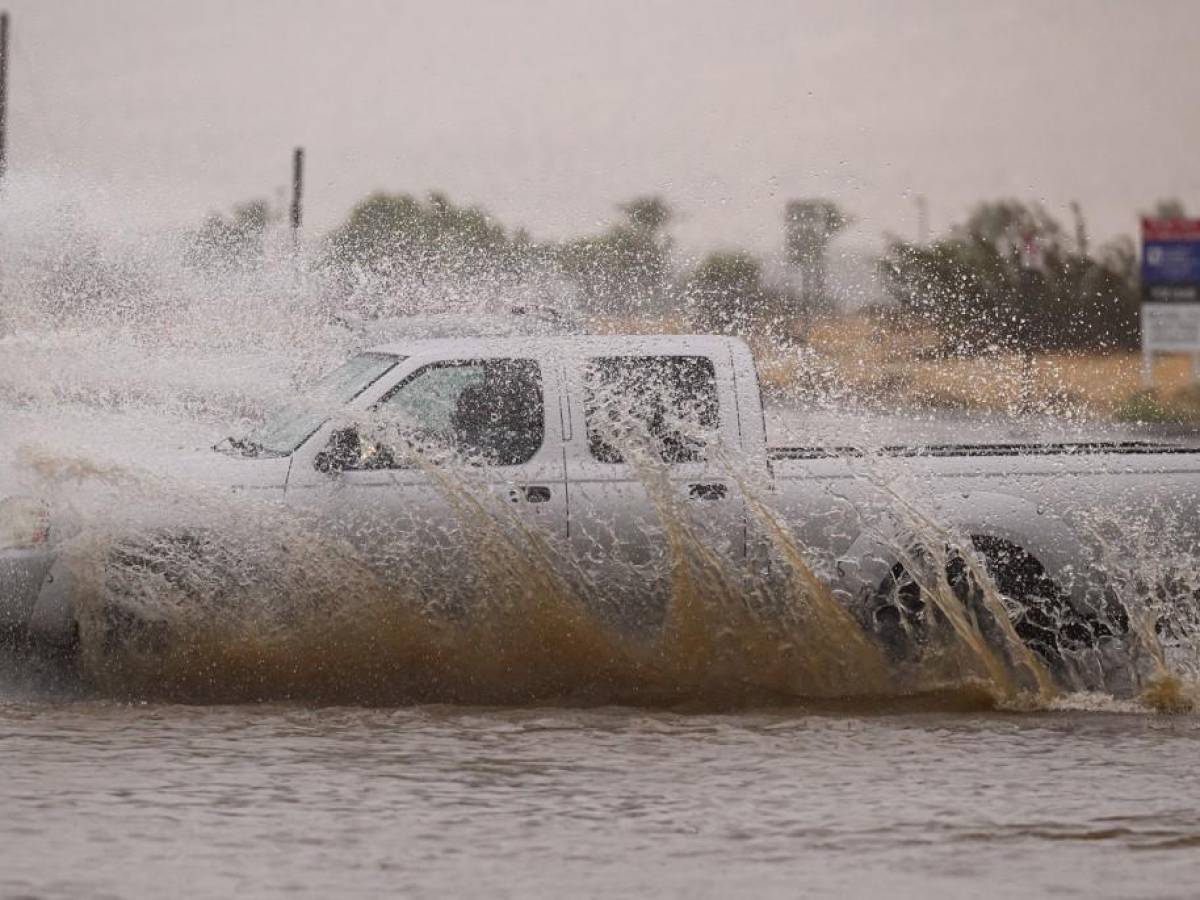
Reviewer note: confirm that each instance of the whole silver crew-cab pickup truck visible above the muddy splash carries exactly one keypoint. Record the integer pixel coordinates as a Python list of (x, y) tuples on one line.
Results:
[(607, 455)]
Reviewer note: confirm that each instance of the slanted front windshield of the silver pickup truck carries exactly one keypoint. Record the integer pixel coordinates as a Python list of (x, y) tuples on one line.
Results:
[(292, 425)]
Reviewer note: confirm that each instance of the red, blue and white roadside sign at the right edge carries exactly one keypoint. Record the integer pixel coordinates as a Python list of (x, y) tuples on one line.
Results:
[(1171, 285)]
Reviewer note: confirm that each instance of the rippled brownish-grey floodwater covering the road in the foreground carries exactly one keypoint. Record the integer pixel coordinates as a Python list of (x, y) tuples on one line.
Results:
[(105, 800)]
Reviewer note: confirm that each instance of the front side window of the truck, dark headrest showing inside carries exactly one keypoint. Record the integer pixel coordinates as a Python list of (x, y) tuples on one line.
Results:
[(488, 412)]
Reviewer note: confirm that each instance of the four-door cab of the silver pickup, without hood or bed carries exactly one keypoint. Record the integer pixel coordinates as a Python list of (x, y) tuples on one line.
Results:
[(591, 449)]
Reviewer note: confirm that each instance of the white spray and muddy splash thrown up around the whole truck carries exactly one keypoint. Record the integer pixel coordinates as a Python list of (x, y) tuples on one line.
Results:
[(116, 355)]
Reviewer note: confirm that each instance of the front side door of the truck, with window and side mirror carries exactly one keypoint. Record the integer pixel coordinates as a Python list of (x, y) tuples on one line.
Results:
[(453, 475)]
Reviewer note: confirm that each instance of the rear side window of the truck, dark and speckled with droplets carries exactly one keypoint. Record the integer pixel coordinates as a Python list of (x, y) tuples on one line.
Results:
[(667, 405)]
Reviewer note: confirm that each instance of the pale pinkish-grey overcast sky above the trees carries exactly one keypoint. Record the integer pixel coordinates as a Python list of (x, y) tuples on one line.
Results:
[(548, 113)]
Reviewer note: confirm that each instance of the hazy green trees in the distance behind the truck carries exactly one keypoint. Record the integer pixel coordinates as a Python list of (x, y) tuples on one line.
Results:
[(1007, 278)]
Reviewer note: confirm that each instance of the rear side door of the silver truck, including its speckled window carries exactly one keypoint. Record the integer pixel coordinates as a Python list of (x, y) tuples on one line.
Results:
[(649, 470)]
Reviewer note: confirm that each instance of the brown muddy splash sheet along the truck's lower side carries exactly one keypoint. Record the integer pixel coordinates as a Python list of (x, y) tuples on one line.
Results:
[(260, 603)]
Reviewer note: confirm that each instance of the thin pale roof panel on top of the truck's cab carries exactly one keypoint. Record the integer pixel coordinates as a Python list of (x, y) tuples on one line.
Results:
[(590, 344)]
